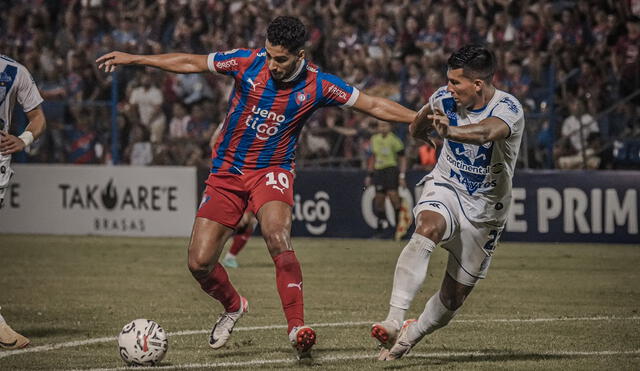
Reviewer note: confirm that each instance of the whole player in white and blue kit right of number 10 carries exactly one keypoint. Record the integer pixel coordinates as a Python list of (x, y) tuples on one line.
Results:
[(464, 203)]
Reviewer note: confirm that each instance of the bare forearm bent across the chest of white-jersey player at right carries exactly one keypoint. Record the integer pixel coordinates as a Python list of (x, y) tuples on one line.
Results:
[(487, 130)]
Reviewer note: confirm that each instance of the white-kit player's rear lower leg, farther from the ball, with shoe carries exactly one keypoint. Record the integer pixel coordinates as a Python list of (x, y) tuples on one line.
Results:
[(438, 312)]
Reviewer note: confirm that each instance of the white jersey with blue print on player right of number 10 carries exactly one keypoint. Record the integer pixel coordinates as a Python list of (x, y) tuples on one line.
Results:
[(480, 175)]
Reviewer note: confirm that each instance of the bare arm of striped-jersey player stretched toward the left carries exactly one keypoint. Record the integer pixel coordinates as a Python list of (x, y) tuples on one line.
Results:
[(172, 62)]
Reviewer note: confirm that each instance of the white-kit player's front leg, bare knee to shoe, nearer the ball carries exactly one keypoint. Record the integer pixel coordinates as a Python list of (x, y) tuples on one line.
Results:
[(411, 271)]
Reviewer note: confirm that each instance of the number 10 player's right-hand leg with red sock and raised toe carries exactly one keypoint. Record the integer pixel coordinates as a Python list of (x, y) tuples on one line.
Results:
[(275, 225)]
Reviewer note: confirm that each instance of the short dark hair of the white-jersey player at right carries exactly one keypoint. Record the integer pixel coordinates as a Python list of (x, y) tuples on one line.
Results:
[(476, 61)]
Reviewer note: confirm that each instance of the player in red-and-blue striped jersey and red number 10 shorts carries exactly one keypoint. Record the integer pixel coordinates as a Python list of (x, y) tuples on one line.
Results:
[(276, 90)]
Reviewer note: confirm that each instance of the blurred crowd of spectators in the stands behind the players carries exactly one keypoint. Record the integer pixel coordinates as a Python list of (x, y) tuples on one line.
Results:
[(395, 47)]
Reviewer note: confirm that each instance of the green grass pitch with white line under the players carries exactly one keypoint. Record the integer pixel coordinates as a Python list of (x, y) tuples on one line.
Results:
[(542, 306)]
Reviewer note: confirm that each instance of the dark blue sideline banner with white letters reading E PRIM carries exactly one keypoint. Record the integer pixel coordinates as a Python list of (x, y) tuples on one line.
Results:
[(547, 206)]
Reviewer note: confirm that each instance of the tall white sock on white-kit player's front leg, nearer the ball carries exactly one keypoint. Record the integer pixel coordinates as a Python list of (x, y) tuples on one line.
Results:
[(411, 271)]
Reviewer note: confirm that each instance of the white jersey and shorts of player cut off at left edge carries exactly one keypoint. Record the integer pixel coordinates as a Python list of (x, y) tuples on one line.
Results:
[(16, 84)]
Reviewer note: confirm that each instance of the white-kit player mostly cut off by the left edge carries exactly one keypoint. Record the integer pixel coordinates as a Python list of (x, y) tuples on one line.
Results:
[(16, 84)]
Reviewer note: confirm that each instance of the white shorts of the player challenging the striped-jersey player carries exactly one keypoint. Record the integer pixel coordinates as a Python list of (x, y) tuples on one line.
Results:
[(470, 244)]
